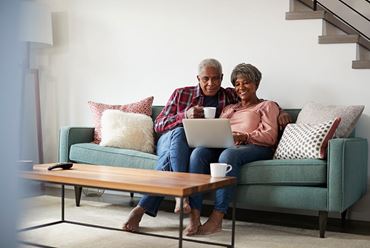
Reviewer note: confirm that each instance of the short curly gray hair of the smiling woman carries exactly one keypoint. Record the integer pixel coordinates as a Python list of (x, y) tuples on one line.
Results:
[(247, 71)]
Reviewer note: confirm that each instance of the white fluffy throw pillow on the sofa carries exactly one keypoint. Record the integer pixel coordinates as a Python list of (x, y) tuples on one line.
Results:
[(127, 130)]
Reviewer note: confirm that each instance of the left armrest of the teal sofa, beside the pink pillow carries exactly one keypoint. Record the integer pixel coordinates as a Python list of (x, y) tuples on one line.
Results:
[(73, 135)]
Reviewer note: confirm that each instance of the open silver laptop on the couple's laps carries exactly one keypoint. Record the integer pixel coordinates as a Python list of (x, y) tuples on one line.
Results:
[(212, 133)]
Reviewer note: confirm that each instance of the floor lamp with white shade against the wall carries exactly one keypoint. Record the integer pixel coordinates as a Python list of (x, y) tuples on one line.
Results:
[(36, 31)]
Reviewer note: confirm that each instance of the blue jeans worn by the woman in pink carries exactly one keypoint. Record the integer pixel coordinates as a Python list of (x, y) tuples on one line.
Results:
[(200, 160)]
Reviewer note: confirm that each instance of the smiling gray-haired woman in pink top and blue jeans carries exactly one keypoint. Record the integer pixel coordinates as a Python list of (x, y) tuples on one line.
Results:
[(254, 123)]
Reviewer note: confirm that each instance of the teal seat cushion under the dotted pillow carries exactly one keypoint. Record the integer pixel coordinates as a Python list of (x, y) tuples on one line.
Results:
[(310, 172)]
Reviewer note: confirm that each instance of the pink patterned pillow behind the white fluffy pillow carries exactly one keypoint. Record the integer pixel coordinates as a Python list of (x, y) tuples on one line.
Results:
[(142, 107)]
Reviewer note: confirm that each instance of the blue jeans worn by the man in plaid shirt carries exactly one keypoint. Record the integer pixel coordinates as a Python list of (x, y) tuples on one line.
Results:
[(173, 155)]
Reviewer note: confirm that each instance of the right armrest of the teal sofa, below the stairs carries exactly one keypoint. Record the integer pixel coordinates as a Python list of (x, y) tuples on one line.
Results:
[(346, 172)]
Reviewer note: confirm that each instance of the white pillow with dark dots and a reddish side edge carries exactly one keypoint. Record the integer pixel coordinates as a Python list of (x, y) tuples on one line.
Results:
[(301, 141)]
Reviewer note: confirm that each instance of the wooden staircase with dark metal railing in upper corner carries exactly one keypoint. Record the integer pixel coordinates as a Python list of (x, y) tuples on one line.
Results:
[(334, 29)]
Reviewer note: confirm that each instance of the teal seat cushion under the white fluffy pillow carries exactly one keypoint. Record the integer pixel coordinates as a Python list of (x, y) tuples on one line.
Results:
[(90, 153)]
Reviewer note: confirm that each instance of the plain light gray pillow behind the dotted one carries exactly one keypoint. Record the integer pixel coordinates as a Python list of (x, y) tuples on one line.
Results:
[(315, 113)]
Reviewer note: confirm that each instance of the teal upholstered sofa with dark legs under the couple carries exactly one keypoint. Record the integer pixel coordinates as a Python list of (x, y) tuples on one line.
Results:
[(326, 186)]
